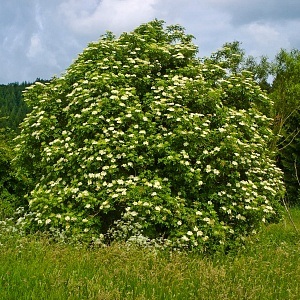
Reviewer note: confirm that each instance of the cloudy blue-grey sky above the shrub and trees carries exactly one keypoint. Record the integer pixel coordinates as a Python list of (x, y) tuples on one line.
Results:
[(41, 38)]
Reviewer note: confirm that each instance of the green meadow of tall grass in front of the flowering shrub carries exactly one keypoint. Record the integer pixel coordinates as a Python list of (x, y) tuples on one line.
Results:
[(268, 268)]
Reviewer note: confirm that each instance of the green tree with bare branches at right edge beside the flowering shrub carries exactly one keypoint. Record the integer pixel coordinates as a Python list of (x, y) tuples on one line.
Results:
[(286, 96)]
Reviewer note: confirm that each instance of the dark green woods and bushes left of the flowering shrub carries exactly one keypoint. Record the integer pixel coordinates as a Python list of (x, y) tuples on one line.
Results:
[(12, 111)]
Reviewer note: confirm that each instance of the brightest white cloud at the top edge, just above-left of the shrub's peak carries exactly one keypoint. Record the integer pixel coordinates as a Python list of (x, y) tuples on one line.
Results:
[(95, 17)]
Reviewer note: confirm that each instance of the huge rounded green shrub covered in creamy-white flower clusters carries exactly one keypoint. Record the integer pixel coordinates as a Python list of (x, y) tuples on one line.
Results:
[(140, 140)]
